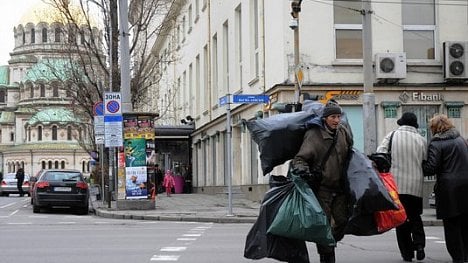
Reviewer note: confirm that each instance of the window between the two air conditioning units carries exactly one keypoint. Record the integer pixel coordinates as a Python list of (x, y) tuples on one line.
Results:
[(418, 28)]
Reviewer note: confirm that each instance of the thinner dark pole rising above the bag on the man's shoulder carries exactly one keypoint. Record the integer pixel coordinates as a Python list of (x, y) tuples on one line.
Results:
[(294, 25)]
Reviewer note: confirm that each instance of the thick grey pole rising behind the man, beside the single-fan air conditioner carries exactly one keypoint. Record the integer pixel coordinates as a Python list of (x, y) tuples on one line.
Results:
[(368, 105)]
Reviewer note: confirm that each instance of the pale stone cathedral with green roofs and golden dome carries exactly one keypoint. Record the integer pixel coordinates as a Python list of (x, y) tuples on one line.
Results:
[(39, 127)]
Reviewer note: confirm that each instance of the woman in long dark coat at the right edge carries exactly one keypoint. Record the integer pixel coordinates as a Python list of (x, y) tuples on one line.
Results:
[(447, 158)]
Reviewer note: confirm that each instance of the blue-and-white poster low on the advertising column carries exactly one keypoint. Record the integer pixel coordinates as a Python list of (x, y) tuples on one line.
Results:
[(135, 183)]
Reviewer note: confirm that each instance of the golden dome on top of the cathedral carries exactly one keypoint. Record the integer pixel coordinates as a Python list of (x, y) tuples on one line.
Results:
[(47, 11)]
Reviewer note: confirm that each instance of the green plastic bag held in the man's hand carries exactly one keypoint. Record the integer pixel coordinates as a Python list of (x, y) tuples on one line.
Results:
[(301, 216)]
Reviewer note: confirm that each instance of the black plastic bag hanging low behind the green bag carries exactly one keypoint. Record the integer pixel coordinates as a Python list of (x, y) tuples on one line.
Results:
[(259, 244)]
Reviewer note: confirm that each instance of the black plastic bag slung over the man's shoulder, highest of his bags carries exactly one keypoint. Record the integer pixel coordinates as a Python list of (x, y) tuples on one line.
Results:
[(279, 137)]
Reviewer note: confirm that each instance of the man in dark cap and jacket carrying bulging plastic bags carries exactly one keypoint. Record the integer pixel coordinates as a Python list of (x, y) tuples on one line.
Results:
[(322, 160)]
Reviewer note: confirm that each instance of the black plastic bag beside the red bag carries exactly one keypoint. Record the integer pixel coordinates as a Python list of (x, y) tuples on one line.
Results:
[(367, 195)]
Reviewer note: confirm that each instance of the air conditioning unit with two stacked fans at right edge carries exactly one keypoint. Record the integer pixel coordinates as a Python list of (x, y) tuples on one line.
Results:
[(455, 60)]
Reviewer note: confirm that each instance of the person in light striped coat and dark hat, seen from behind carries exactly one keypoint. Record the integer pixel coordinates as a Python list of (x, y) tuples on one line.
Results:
[(408, 151)]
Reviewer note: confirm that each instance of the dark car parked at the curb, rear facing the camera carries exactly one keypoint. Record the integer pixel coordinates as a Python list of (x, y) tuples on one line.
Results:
[(60, 188)]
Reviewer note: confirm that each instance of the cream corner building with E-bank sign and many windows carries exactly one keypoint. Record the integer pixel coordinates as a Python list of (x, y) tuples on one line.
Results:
[(217, 48)]
